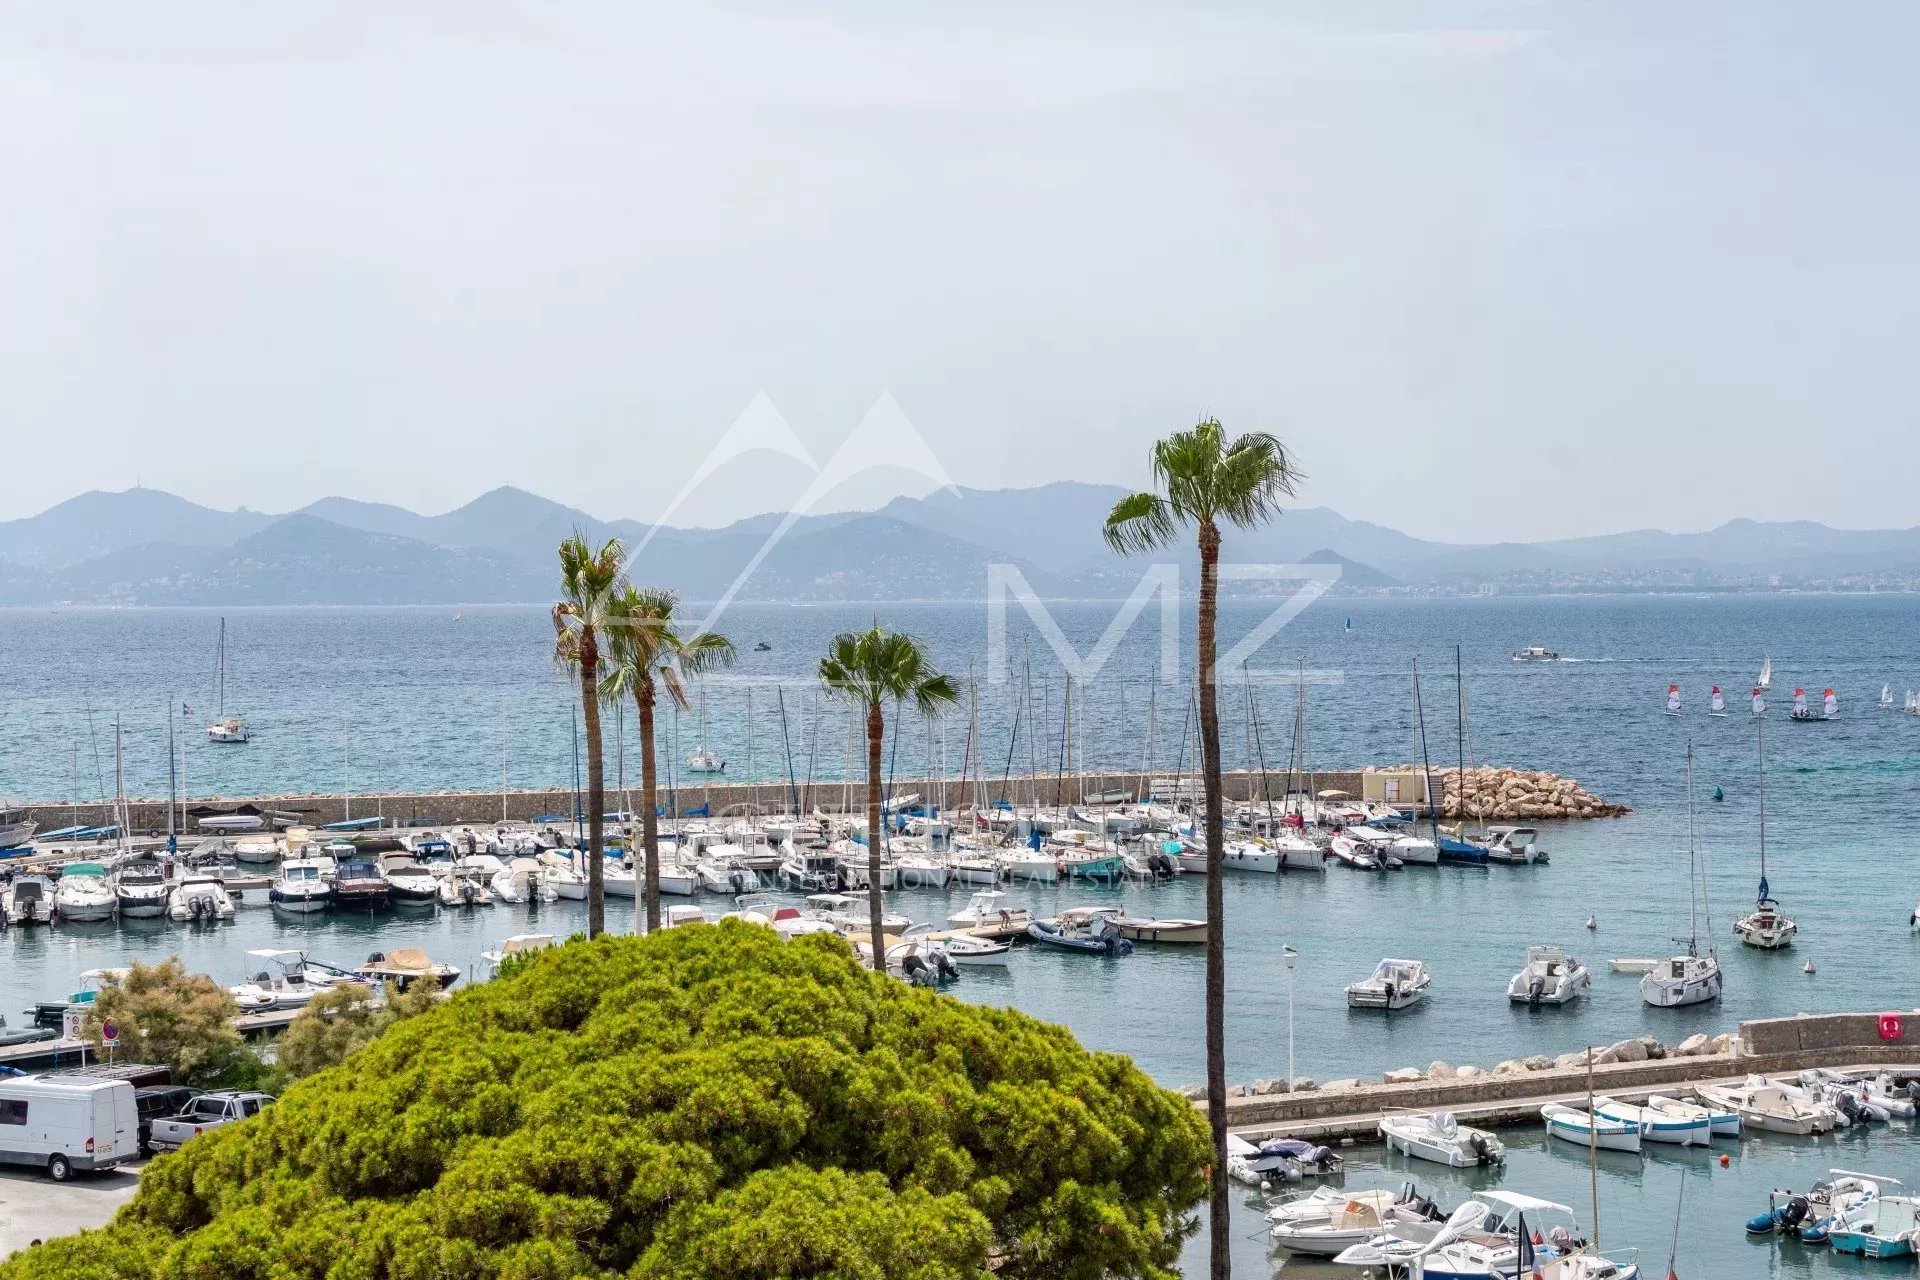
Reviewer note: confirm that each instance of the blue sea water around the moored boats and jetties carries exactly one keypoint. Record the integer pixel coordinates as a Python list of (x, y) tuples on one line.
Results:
[(427, 699)]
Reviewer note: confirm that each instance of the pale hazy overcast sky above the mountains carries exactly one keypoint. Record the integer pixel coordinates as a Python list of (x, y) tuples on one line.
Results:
[(1497, 272)]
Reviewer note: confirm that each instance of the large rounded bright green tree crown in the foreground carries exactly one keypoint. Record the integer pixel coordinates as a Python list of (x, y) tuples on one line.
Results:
[(702, 1102)]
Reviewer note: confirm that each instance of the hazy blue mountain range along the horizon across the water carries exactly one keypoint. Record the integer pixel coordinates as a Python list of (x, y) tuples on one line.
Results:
[(153, 548)]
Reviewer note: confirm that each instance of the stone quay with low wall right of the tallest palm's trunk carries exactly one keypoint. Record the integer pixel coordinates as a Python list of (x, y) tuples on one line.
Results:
[(1353, 1110)]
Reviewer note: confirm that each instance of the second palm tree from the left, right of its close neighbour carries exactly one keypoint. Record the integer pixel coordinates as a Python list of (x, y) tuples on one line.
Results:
[(648, 655)]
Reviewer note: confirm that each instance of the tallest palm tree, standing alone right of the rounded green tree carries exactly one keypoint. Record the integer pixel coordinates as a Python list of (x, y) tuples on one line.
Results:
[(1203, 481)]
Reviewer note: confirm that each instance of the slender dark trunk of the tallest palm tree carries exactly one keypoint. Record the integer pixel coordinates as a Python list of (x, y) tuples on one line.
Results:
[(1216, 913)]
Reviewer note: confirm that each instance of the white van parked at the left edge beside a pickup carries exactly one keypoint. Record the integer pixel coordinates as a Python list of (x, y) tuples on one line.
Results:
[(68, 1124)]
